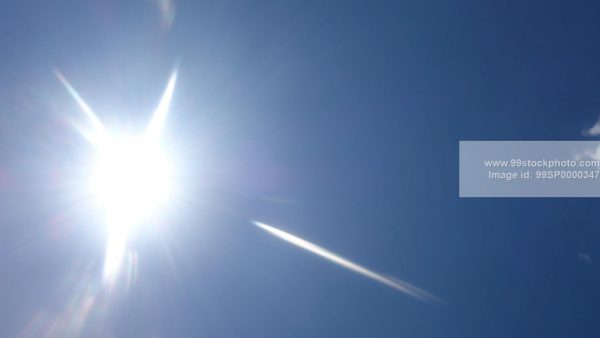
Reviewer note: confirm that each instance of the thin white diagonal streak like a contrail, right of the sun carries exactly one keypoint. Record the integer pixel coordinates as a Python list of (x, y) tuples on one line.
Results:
[(399, 285)]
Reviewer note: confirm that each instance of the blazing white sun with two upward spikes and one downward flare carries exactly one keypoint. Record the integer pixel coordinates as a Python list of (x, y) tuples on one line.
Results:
[(132, 176)]
